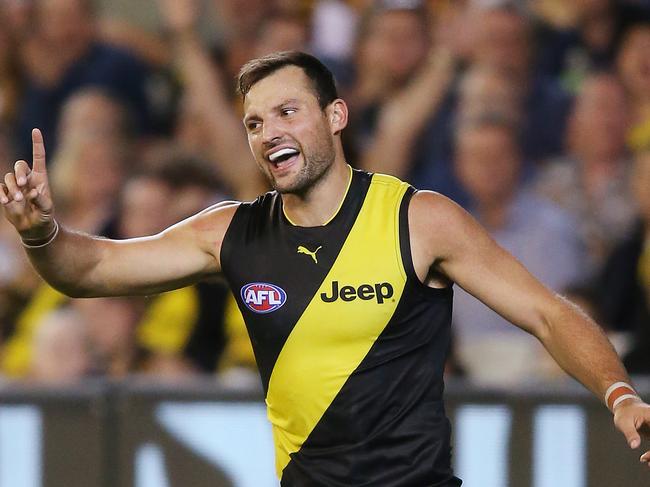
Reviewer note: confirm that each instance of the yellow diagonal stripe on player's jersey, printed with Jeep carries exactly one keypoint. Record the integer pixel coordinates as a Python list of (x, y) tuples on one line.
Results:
[(330, 339)]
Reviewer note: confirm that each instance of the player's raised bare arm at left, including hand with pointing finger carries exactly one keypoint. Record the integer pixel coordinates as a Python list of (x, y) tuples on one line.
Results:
[(85, 266)]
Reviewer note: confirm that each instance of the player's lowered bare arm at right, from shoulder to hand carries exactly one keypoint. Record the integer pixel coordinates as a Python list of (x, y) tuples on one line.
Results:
[(467, 255)]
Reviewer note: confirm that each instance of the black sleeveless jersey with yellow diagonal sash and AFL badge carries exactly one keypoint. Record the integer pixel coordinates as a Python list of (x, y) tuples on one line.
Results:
[(350, 344)]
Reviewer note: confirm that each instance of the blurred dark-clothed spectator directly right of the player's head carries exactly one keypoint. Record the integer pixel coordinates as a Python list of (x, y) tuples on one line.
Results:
[(404, 106)]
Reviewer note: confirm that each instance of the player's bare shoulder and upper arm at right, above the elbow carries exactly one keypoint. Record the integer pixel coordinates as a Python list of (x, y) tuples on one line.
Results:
[(461, 249)]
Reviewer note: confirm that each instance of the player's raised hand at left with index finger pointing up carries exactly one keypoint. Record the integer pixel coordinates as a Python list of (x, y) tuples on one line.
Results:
[(25, 195)]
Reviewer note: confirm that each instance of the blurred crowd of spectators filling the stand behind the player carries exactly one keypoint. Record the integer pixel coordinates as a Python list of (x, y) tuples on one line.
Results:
[(534, 115)]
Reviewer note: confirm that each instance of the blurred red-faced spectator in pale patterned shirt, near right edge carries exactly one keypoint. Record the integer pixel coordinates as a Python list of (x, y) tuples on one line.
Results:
[(592, 180)]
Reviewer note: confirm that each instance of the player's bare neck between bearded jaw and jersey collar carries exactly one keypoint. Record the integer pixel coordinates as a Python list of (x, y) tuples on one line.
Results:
[(321, 202)]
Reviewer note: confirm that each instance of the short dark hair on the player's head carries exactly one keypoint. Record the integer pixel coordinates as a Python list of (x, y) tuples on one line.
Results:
[(257, 69)]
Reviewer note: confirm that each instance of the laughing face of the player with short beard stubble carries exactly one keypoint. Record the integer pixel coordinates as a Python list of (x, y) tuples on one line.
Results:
[(288, 133)]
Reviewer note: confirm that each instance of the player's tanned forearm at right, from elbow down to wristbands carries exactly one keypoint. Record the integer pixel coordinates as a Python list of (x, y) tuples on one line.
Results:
[(581, 348)]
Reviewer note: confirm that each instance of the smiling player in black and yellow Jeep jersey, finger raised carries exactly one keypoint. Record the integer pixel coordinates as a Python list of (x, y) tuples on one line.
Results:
[(344, 280)]
